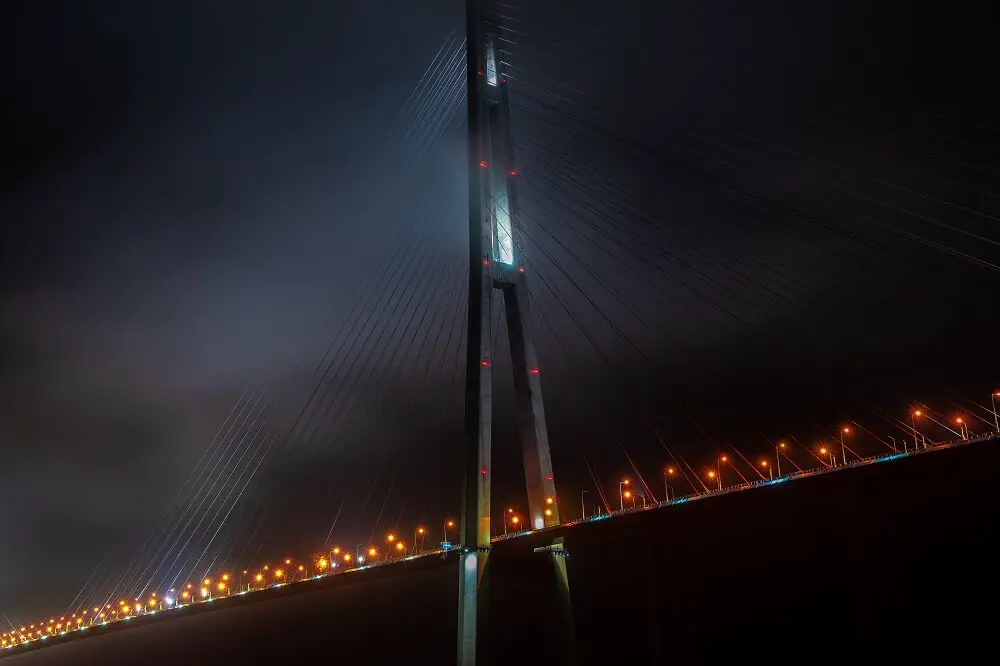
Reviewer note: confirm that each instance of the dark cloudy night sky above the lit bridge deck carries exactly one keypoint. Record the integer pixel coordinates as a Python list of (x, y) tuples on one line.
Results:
[(804, 200)]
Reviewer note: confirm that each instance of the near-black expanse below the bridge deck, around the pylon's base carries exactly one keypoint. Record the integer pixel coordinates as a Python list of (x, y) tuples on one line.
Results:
[(887, 563)]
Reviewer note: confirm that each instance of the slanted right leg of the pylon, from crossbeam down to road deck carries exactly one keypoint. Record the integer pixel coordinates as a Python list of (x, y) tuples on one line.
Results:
[(530, 410)]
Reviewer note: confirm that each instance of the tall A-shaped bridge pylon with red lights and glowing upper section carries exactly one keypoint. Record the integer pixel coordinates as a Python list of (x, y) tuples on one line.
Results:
[(495, 270)]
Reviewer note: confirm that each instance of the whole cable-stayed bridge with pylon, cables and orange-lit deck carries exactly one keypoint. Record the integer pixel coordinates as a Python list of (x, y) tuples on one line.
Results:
[(568, 212)]
